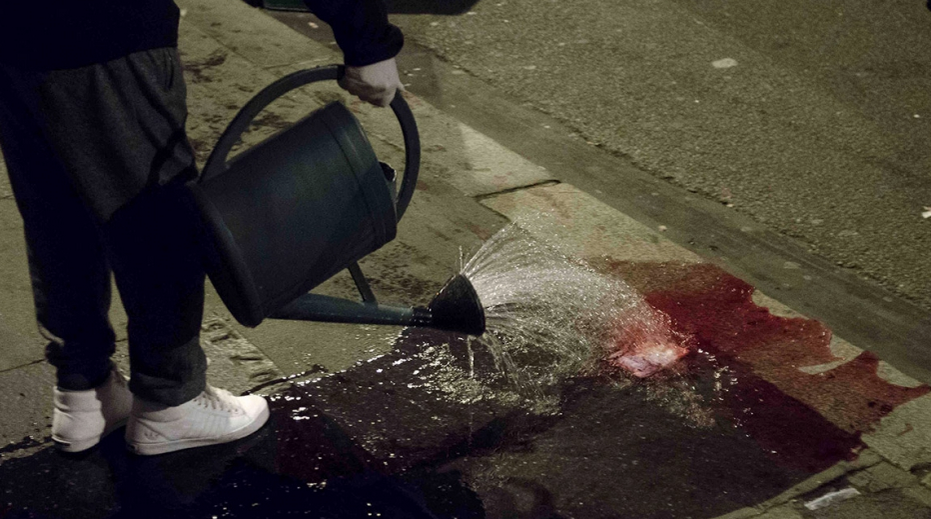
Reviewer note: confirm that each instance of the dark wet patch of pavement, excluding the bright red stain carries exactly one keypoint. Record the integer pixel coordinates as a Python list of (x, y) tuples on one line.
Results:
[(366, 442)]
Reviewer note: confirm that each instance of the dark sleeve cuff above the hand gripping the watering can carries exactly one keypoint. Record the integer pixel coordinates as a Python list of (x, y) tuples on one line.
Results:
[(361, 28)]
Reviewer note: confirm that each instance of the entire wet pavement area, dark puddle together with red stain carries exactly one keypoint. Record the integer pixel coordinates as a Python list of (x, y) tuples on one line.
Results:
[(432, 430)]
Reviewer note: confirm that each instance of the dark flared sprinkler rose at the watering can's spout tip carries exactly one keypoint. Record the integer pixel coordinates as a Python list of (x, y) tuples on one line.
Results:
[(457, 307)]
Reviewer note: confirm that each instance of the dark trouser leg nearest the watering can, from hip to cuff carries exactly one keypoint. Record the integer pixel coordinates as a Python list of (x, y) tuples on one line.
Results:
[(118, 127)]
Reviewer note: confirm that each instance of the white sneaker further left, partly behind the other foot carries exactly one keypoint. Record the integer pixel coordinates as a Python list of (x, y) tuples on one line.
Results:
[(81, 418)]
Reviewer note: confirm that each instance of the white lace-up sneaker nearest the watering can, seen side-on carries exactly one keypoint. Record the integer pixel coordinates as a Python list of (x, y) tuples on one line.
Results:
[(215, 416)]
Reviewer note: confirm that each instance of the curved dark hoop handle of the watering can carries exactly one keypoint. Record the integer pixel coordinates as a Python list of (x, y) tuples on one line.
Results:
[(216, 163)]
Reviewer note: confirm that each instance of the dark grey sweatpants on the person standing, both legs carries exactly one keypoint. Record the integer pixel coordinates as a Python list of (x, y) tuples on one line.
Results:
[(97, 157)]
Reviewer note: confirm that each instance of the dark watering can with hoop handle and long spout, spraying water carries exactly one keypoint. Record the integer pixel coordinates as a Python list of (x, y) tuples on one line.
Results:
[(292, 211)]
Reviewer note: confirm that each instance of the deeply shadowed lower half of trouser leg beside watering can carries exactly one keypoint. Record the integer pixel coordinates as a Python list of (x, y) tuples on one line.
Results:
[(153, 247)]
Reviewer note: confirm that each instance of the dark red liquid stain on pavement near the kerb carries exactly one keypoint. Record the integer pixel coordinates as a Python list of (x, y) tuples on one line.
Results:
[(801, 420)]
